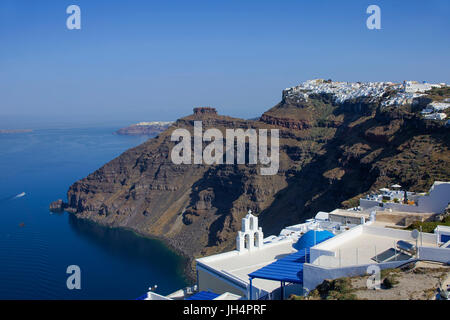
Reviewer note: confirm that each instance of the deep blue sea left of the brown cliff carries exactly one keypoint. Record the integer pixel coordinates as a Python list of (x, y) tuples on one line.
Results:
[(37, 246)]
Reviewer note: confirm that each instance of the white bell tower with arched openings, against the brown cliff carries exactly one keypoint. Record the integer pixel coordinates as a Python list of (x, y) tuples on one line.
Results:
[(251, 236)]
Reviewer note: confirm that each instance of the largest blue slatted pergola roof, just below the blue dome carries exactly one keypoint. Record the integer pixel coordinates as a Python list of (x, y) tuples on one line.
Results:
[(287, 269)]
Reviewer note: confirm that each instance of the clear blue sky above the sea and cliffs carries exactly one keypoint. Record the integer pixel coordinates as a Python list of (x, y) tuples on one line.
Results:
[(155, 60)]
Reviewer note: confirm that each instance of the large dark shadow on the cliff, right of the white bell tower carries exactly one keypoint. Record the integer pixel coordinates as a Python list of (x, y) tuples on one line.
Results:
[(309, 191)]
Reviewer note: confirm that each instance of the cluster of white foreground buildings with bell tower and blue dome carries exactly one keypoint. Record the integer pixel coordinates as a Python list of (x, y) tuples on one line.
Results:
[(336, 244)]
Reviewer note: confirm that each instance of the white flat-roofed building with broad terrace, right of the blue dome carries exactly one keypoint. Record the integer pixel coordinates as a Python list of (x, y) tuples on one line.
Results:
[(364, 247)]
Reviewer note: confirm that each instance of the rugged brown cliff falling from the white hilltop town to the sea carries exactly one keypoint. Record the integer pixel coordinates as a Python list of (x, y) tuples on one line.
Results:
[(329, 156)]
